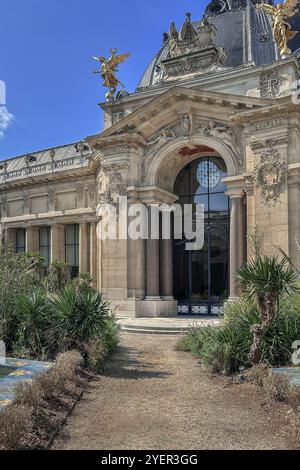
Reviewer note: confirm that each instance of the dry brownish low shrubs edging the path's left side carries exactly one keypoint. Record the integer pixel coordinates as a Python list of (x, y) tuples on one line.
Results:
[(40, 404)]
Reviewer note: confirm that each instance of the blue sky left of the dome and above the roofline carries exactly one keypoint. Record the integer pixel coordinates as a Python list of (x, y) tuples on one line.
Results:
[(45, 61)]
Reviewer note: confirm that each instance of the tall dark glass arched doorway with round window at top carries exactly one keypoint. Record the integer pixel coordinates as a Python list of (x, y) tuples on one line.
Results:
[(201, 278)]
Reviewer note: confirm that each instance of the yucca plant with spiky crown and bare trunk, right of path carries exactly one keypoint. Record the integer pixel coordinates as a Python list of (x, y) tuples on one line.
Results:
[(265, 280)]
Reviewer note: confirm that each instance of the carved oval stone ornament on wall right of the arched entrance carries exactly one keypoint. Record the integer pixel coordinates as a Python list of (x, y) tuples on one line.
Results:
[(269, 174)]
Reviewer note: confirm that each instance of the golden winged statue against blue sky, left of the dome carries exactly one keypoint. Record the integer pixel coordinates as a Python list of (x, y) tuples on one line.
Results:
[(109, 68)]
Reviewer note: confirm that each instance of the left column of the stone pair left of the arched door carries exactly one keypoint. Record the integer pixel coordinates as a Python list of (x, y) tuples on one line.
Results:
[(152, 261)]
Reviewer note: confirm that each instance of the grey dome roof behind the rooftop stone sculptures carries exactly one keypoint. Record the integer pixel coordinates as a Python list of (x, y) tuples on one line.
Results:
[(244, 32)]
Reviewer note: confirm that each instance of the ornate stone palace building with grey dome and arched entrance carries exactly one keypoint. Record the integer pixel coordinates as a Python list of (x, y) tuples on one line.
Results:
[(215, 120)]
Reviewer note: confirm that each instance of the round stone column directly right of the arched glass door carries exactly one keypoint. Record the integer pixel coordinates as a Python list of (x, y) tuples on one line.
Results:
[(237, 239)]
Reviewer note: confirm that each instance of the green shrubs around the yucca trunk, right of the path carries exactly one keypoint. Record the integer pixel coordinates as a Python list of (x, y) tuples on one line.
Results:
[(226, 348)]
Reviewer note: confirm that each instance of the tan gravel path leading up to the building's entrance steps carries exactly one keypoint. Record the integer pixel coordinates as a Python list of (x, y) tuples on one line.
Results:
[(152, 397)]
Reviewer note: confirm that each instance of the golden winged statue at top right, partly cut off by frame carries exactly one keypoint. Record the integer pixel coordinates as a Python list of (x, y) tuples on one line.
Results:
[(282, 30)]
